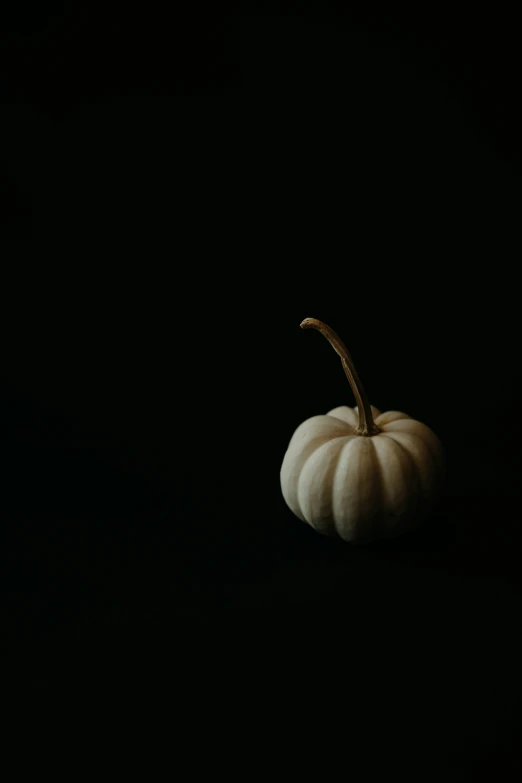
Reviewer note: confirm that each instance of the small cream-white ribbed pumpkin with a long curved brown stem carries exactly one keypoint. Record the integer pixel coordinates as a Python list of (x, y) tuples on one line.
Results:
[(358, 473)]
